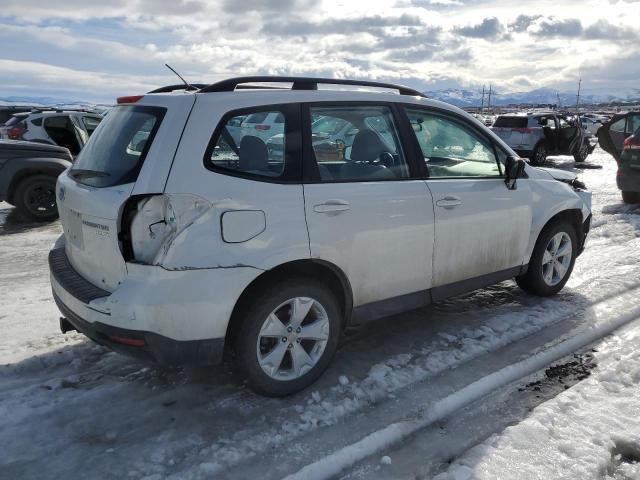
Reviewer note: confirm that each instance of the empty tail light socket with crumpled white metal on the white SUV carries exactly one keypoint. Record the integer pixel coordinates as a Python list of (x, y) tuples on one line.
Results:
[(150, 224)]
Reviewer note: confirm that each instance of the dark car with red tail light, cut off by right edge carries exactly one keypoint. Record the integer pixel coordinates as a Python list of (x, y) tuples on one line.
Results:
[(621, 138)]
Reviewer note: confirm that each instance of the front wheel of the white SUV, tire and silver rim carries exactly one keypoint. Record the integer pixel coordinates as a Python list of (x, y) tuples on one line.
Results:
[(552, 261)]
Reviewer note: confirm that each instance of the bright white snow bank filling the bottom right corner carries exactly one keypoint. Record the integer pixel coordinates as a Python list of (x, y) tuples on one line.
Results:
[(591, 431)]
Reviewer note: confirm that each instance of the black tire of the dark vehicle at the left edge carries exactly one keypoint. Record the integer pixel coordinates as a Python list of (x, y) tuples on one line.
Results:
[(35, 198)]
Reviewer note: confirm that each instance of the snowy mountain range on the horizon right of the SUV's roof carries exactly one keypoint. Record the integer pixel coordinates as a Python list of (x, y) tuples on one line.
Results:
[(468, 98)]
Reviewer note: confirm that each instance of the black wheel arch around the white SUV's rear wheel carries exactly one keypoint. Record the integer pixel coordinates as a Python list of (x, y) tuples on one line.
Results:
[(330, 274)]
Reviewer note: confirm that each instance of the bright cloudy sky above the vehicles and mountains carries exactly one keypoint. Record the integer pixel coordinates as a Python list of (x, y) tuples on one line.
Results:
[(96, 50)]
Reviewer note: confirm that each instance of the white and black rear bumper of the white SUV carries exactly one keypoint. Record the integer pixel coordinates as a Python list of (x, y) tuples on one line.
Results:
[(173, 317)]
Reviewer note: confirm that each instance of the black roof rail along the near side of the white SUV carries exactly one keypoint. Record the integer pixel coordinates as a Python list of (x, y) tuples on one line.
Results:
[(302, 83)]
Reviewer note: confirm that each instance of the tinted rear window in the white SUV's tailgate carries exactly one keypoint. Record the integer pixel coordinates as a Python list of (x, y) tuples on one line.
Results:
[(116, 151)]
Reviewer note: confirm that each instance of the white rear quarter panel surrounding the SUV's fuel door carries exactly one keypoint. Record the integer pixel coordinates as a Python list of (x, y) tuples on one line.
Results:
[(201, 245)]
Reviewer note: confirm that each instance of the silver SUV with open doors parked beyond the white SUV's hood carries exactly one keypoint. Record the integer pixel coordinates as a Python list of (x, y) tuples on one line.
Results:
[(538, 135)]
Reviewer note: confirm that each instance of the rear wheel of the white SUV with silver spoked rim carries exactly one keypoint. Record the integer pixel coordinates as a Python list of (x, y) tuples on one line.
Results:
[(288, 336)]
